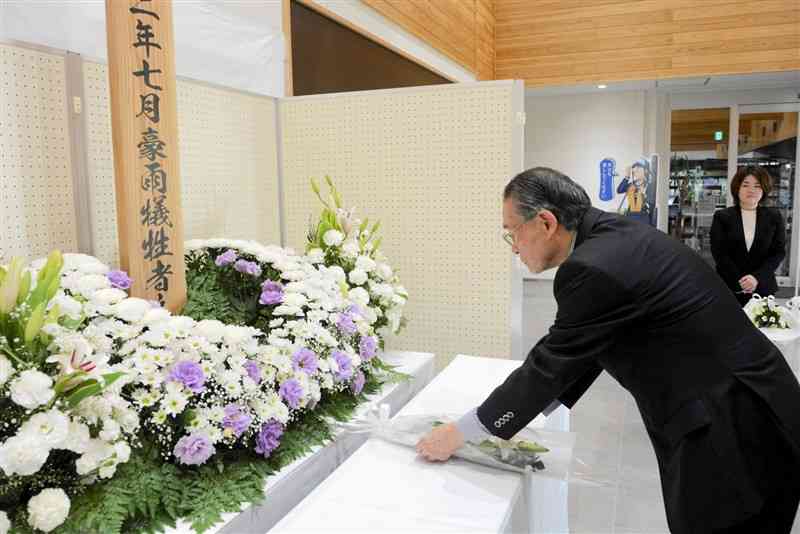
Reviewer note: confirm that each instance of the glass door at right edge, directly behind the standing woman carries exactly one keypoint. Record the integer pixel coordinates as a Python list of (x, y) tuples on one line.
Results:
[(767, 138)]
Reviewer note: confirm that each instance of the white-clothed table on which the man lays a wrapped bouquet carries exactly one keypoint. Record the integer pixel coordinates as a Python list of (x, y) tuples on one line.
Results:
[(384, 487)]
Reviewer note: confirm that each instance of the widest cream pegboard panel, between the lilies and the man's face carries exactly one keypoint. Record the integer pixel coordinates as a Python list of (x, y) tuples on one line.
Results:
[(431, 164)]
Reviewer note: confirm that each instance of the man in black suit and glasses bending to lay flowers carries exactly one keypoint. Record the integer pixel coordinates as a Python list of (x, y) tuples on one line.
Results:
[(719, 401)]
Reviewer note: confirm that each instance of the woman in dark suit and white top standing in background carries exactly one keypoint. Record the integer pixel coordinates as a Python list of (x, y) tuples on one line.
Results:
[(748, 241)]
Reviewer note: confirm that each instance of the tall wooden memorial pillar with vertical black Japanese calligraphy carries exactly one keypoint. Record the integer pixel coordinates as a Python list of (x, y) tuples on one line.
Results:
[(141, 71)]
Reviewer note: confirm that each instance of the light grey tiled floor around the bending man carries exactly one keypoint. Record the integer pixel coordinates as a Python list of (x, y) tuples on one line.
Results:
[(612, 440)]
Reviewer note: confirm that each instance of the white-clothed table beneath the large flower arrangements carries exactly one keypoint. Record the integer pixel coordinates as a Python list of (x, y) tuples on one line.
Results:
[(291, 484)]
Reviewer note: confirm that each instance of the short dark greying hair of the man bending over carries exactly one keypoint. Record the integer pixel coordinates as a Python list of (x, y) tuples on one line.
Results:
[(543, 188)]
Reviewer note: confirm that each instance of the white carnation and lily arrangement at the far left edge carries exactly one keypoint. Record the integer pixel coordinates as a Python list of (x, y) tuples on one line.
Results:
[(64, 423)]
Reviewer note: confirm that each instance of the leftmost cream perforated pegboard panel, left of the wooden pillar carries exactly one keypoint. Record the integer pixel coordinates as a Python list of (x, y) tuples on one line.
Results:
[(37, 213)]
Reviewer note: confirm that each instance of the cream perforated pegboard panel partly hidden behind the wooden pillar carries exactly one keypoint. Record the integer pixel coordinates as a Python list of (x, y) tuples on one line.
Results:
[(228, 161)]
